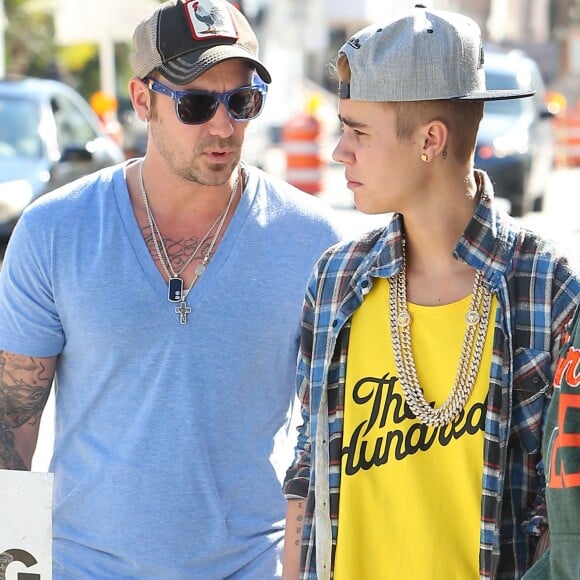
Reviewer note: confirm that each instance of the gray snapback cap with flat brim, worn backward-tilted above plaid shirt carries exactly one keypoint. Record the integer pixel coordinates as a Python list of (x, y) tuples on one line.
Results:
[(425, 55)]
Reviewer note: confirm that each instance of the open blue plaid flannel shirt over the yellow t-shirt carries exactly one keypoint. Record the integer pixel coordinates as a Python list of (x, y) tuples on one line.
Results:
[(537, 293)]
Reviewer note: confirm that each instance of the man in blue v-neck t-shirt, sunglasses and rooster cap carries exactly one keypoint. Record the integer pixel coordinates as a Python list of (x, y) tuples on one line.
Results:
[(165, 295)]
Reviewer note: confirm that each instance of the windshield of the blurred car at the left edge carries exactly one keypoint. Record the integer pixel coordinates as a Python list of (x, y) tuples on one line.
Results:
[(19, 123)]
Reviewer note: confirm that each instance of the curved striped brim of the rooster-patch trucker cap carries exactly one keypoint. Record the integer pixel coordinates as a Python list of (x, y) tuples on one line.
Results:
[(189, 66)]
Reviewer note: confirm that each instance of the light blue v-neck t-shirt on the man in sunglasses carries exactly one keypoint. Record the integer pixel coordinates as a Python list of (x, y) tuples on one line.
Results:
[(170, 440)]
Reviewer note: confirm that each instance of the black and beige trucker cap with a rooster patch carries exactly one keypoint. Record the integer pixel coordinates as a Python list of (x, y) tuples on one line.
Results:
[(183, 39)]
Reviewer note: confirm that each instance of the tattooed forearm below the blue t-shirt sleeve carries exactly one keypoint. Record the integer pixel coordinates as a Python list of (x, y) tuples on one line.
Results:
[(24, 389)]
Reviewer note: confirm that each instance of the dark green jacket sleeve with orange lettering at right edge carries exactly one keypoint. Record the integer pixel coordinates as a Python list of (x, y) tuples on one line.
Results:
[(562, 453)]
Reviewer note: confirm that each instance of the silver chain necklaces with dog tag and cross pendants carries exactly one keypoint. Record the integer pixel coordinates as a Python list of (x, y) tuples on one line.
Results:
[(176, 292)]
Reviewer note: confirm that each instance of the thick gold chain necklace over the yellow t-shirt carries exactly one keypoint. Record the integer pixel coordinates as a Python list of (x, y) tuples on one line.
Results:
[(476, 319)]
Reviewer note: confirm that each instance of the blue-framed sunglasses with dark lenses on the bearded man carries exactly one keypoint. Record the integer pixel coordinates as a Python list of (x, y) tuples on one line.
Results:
[(197, 107)]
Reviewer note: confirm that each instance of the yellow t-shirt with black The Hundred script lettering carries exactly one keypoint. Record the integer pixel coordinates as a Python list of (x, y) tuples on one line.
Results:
[(410, 495)]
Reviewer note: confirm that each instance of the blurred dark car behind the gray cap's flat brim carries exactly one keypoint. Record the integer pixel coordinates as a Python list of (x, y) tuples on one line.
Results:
[(516, 140)]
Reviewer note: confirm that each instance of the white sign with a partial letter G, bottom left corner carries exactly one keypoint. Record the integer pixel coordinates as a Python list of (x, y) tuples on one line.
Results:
[(26, 525)]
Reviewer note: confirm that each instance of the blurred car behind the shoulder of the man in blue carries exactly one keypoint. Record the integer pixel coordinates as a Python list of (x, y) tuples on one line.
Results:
[(49, 136)]
